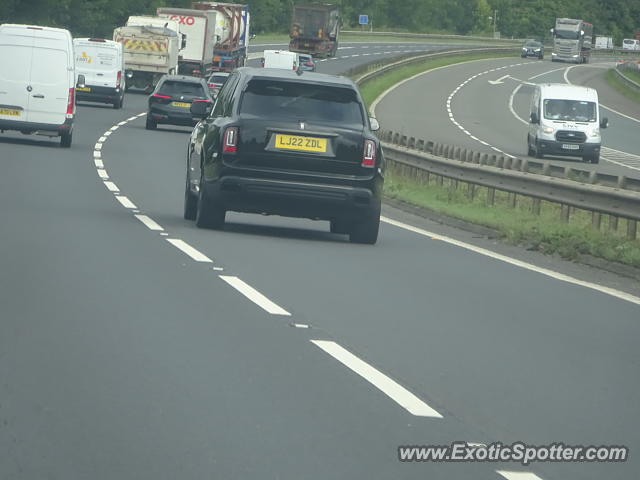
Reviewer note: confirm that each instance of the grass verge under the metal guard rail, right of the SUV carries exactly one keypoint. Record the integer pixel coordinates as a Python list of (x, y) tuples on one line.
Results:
[(520, 226)]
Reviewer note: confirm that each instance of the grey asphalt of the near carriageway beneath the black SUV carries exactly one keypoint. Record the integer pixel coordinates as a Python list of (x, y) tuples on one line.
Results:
[(135, 346)]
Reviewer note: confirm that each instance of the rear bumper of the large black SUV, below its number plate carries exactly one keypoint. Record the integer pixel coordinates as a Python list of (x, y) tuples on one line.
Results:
[(294, 199)]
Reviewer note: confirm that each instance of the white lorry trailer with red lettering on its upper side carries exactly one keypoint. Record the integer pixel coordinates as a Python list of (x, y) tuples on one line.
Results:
[(199, 27)]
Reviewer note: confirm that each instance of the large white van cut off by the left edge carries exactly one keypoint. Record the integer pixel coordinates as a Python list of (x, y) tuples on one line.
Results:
[(37, 81)]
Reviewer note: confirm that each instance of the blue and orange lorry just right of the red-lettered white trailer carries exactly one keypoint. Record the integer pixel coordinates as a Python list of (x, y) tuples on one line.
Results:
[(231, 34)]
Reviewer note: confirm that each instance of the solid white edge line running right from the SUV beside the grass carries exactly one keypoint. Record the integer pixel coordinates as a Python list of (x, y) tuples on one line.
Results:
[(518, 263)]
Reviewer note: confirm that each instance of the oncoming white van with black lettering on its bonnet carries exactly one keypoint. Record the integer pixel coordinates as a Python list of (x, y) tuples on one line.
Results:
[(565, 120)]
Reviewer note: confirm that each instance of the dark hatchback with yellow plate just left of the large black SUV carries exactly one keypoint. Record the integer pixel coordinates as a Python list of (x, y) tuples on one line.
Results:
[(172, 98)]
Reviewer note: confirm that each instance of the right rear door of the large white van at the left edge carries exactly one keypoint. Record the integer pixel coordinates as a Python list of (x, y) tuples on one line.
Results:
[(52, 77)]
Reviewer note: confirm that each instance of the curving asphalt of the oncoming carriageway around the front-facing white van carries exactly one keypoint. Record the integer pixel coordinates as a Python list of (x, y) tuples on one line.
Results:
[(484, 105)]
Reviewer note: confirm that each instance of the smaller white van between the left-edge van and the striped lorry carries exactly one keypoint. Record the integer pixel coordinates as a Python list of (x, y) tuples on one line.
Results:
[(102, 64)]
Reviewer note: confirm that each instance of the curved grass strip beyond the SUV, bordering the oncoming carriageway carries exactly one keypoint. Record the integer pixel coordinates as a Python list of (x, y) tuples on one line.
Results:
[(374, 88)]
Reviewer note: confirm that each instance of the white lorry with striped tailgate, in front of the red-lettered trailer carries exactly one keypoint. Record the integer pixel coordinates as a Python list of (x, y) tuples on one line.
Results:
[(149, 52)]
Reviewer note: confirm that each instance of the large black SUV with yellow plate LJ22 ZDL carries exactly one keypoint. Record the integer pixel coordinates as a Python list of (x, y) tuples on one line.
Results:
[(286, 143)]
